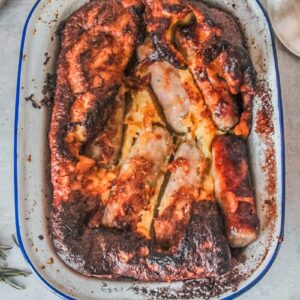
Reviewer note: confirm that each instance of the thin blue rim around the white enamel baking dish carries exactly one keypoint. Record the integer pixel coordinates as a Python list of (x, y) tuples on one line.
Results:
[(276, 251)]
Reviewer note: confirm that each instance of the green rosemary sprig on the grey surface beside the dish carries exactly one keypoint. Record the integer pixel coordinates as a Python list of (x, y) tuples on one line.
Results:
[(7, 274)]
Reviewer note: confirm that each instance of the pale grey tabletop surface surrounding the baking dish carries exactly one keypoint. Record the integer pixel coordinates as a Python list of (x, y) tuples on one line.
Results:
[(281, 282)]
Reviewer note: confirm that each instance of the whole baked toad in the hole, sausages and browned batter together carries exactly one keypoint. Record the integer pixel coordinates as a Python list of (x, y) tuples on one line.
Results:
[(131, 158)]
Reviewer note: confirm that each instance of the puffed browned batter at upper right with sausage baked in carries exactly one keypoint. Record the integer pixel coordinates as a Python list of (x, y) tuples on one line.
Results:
[(219, 63)]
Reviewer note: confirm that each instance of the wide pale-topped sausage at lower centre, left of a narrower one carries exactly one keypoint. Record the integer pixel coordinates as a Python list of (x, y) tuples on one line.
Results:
[(137, 179)]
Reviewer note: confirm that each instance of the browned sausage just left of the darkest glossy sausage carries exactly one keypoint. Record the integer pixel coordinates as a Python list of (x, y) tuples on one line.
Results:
[(182, 190)]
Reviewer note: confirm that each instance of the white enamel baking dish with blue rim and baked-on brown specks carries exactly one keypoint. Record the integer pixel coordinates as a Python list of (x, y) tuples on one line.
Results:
[(31, 158)]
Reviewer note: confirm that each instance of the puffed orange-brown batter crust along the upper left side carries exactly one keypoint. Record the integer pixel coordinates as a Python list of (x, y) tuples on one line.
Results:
[(97, 44)]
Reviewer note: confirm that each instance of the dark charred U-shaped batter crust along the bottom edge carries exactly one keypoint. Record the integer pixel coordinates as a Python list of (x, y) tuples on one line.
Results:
[(107, 252)]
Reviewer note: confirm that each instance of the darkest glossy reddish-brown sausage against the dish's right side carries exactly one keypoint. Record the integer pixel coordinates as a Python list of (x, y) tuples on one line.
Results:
[(234, 189)]
